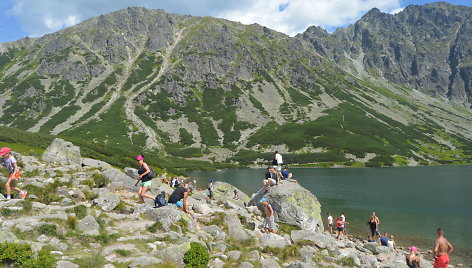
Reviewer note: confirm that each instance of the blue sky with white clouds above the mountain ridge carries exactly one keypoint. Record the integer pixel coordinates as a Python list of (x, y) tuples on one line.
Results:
[(21, 18)]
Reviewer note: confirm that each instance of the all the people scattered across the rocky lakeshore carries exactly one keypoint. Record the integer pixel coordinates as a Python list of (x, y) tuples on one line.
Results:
[(273, 177)]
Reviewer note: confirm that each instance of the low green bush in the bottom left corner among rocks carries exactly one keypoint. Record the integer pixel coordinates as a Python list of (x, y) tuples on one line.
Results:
[(21, 255)]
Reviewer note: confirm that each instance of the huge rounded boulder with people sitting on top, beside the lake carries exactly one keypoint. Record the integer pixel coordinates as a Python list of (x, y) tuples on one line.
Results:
[(293, 204)]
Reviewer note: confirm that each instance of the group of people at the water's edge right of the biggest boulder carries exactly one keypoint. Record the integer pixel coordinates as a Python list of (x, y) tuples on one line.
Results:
[(442, 247)]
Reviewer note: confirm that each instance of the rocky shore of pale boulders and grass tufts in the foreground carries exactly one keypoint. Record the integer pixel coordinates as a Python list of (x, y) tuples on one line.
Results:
[(83, 211)]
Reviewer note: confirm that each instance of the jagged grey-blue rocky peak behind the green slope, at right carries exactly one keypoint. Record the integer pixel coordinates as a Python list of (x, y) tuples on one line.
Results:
[(428, 48)]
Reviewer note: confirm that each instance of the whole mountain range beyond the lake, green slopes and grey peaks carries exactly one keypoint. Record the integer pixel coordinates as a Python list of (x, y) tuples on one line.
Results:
[(212, 89)]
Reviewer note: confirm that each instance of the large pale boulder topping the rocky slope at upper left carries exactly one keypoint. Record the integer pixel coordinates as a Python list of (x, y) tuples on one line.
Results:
[(64, 152)]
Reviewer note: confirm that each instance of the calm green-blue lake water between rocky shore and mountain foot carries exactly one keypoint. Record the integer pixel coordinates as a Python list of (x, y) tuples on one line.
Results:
[(411, 202)]
